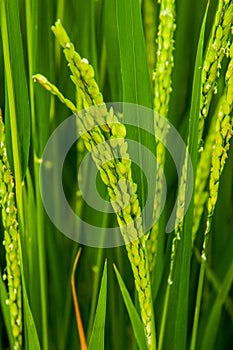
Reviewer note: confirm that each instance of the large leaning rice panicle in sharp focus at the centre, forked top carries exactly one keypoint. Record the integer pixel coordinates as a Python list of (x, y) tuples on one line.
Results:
[(115, 171)]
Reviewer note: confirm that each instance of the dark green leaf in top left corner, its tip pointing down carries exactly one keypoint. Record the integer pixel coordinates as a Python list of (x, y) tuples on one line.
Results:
[(19, 90)]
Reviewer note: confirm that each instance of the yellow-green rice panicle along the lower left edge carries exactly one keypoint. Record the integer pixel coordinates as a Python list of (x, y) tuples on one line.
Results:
[(10, 225)]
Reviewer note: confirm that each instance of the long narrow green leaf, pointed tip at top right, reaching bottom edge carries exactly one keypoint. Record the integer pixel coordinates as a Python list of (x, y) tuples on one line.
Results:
[(181, 324)]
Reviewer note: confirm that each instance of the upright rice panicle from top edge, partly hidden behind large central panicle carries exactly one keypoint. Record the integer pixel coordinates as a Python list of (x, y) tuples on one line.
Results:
[(162, 79)]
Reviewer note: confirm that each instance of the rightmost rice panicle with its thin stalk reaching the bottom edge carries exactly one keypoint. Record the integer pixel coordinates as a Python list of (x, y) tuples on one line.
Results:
[(220, 149)]
